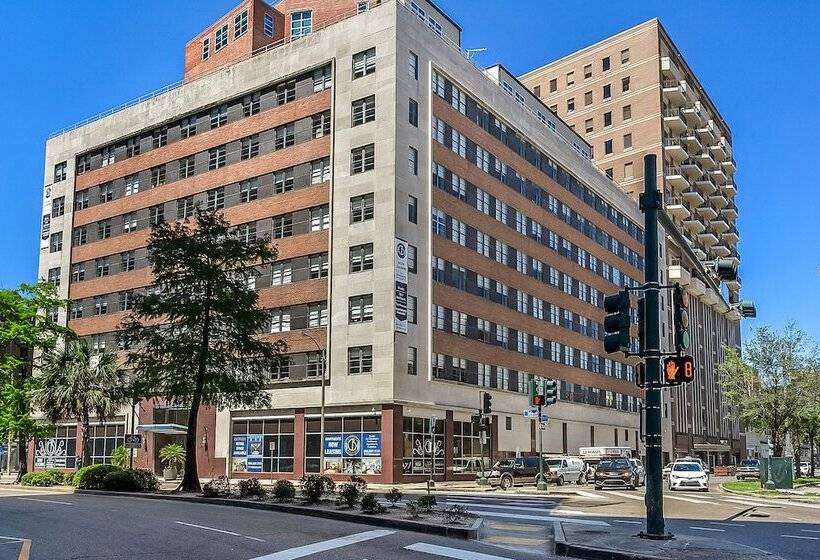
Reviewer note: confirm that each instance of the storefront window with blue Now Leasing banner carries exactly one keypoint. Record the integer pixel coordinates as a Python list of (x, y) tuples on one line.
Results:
[(353, 445)]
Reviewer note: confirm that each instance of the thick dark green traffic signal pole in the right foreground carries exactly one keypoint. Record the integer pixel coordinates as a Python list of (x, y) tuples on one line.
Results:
[(650, 203)]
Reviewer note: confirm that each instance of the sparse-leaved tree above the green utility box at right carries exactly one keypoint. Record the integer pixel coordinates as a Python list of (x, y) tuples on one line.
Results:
[(761, 380)]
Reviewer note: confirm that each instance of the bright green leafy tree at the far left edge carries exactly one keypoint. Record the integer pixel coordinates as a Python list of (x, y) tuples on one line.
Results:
[(24, 322)]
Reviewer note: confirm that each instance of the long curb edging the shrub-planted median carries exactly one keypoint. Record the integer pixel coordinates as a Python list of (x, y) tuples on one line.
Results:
[(465, 532)]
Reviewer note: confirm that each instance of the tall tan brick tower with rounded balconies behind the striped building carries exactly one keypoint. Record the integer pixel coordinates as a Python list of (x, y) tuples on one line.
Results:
[(633, 94)]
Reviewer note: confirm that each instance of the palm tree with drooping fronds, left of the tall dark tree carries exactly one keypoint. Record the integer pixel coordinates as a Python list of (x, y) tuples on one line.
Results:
[(72, 387)]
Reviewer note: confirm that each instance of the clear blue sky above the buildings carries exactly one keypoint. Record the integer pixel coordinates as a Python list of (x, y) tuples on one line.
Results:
[(64, 61)]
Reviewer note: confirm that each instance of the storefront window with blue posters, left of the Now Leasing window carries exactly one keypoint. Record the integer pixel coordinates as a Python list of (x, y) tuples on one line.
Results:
[(262, 446)]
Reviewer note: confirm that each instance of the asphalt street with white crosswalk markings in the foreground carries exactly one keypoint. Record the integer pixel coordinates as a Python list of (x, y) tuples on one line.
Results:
[(517, 526)]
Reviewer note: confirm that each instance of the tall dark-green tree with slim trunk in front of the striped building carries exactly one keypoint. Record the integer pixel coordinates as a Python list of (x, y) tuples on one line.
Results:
[(195, 334)]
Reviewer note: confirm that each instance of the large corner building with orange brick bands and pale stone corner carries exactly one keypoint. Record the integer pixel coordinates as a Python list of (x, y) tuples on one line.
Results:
[(440, 233)]
